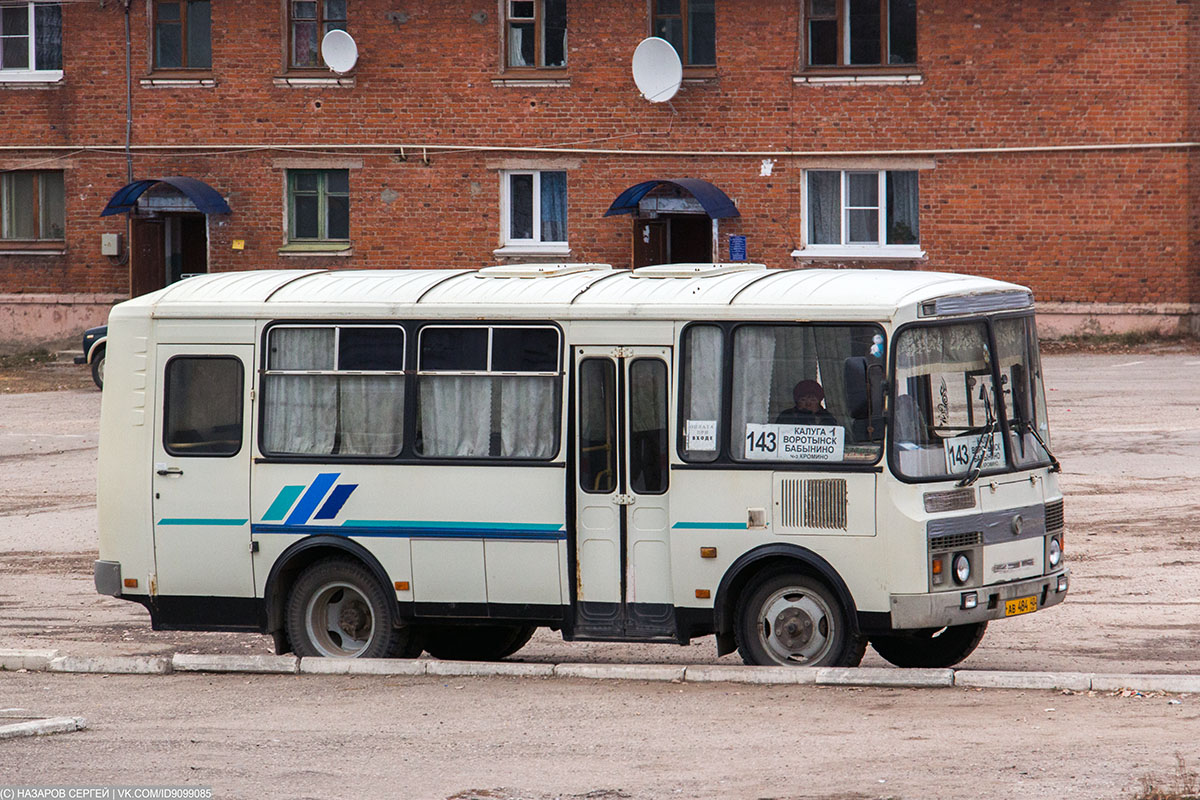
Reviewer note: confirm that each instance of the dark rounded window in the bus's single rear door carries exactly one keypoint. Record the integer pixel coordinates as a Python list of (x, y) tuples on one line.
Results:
[(202, 406)]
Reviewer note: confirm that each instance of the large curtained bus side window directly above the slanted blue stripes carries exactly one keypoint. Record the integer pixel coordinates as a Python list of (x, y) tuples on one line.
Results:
[(334, 392)]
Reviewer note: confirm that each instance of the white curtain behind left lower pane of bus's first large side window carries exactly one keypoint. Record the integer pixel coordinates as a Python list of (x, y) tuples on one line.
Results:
[(301, 414)]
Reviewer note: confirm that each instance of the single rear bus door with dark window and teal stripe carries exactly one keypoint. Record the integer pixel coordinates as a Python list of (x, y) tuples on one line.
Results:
[(202, 472)]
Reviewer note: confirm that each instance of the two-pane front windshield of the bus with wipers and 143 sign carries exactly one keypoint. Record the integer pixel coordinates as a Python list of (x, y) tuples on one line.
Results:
[(950, 419)]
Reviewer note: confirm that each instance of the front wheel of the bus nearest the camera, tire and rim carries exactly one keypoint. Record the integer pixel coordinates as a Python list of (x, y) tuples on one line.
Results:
[(795, 621)]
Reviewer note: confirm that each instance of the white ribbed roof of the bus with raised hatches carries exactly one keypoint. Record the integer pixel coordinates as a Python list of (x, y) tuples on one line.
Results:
[(574, 292)]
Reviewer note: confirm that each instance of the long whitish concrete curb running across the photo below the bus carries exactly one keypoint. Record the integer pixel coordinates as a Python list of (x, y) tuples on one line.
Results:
[(865, 677)]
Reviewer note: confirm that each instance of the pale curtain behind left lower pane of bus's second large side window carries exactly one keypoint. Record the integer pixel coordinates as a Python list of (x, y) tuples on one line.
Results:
[(457, 416)]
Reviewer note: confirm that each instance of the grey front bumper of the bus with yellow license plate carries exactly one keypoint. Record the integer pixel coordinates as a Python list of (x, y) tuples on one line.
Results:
[(944, 609)]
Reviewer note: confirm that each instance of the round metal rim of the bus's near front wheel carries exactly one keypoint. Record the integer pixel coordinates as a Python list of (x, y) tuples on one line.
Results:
[(796, 627)]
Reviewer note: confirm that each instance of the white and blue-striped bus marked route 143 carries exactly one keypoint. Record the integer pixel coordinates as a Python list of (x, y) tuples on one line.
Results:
[(385, 464)]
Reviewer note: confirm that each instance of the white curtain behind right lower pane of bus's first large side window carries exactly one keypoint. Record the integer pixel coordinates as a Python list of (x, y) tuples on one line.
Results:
[(371, 419)]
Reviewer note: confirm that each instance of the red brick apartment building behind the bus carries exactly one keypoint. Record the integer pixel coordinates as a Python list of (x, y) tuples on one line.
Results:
[(1046, 142)]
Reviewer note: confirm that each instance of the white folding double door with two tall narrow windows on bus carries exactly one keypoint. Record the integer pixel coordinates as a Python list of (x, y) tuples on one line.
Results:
[(622, 552)]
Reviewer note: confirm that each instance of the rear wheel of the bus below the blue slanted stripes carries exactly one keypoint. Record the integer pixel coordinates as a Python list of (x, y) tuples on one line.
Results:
[(338, 609)]
